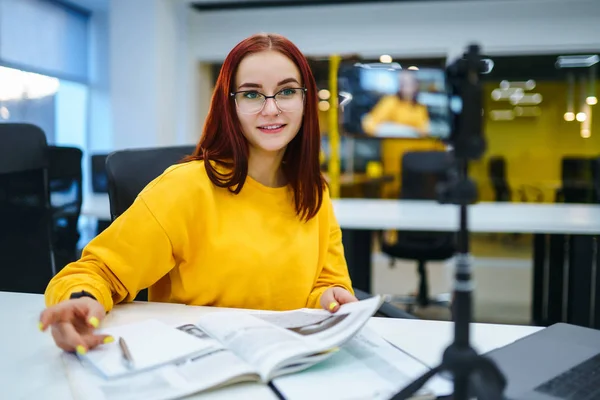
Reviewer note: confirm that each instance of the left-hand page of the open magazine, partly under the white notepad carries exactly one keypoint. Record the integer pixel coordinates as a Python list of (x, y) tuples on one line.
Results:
[(214, 368)]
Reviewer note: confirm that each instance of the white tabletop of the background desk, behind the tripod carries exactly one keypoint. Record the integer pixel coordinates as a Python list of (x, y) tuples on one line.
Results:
[(375, 214)]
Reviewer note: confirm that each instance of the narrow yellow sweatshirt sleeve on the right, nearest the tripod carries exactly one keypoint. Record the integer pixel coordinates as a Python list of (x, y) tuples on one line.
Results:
[(335, 270)]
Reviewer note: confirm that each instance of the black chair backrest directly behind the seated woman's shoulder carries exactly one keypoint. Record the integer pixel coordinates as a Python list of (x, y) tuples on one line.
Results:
[(129, 171)]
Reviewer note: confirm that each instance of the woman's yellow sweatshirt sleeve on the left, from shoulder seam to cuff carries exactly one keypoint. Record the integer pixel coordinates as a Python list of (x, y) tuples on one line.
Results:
[(128, 256)]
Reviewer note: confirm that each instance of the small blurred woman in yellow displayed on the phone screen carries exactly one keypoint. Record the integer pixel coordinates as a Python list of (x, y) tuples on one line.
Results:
[(401, 108)]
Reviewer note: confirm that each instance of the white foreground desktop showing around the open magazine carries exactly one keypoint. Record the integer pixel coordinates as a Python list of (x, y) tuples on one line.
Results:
[(31, 366)]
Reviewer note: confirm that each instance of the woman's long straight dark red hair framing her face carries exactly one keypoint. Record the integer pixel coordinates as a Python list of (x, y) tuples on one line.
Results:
[(223, 143)]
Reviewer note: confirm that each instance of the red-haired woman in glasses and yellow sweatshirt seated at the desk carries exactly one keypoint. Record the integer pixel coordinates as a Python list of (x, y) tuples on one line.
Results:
[(245, 222)]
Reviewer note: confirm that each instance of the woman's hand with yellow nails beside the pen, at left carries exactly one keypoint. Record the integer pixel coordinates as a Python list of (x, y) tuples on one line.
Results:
[(73, 323)]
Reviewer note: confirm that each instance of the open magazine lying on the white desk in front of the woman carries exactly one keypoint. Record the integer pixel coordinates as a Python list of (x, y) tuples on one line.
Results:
[(220, 349)]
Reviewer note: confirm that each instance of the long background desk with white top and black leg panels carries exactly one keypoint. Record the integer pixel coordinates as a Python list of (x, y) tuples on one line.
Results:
[(565, 255)]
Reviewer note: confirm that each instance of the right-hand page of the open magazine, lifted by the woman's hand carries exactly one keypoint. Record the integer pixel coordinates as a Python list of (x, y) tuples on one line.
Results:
[(287, 341)]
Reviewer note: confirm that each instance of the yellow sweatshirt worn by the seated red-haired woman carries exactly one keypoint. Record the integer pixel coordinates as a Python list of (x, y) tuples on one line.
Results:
[(191, 242)]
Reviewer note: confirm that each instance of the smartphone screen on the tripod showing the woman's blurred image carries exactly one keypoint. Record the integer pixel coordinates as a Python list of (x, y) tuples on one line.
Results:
[(390, 102)]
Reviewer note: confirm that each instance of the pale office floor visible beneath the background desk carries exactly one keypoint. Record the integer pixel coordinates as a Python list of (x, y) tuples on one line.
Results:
[(502, 274)]
